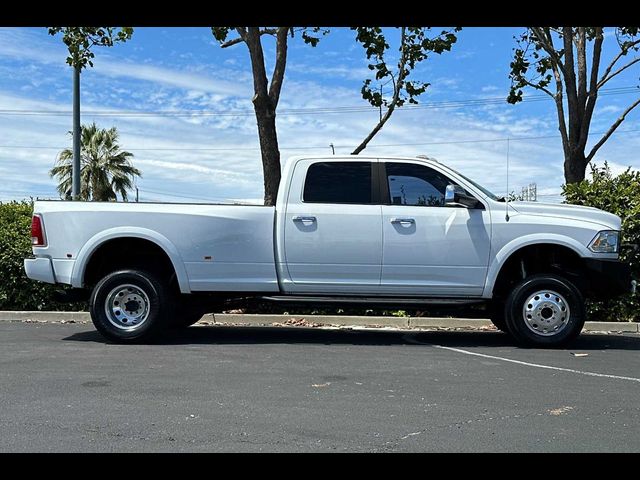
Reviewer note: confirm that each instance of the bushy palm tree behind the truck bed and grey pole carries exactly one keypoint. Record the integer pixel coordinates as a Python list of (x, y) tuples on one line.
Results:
[(105, 170)]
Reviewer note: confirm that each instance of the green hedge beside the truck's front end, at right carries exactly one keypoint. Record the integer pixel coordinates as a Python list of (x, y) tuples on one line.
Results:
[(619, 195)]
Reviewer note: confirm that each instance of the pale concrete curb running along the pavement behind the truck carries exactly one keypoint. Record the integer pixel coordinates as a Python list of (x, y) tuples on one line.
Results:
[(301, 320)]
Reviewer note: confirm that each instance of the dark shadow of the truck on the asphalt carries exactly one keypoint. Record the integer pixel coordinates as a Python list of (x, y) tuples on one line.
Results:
[(223, 335)]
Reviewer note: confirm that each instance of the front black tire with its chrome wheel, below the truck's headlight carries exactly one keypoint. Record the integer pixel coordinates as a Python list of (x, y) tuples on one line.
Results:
[(551, 319)]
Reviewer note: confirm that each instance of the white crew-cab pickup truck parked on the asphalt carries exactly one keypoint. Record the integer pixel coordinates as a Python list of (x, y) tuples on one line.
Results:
[(377, 231)]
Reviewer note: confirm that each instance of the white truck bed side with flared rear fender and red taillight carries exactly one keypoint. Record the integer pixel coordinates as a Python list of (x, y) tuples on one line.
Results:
[(221, 247)]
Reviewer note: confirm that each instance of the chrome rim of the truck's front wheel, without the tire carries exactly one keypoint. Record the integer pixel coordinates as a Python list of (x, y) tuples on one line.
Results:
[(546, 313)]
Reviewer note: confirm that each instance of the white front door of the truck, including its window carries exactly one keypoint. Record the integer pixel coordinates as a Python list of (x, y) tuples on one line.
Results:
[(428, 248)]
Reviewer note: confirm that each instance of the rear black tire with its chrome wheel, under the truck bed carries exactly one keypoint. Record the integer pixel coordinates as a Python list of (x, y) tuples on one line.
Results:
[(150, 302)]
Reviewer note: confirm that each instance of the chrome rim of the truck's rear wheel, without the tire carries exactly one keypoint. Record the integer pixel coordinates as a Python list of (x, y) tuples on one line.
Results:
[(127, 307)]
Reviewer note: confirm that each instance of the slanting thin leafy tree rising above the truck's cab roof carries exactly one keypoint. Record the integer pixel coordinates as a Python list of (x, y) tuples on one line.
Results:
[(415, 47)]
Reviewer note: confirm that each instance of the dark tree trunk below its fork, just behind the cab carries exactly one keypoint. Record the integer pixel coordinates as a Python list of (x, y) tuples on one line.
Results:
[(266, 119)]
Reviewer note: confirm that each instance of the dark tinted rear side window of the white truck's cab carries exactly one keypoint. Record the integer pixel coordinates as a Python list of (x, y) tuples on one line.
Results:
[(338, 182)]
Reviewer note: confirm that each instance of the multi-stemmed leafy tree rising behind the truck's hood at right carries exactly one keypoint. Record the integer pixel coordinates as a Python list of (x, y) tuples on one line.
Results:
[(570, 58)]
